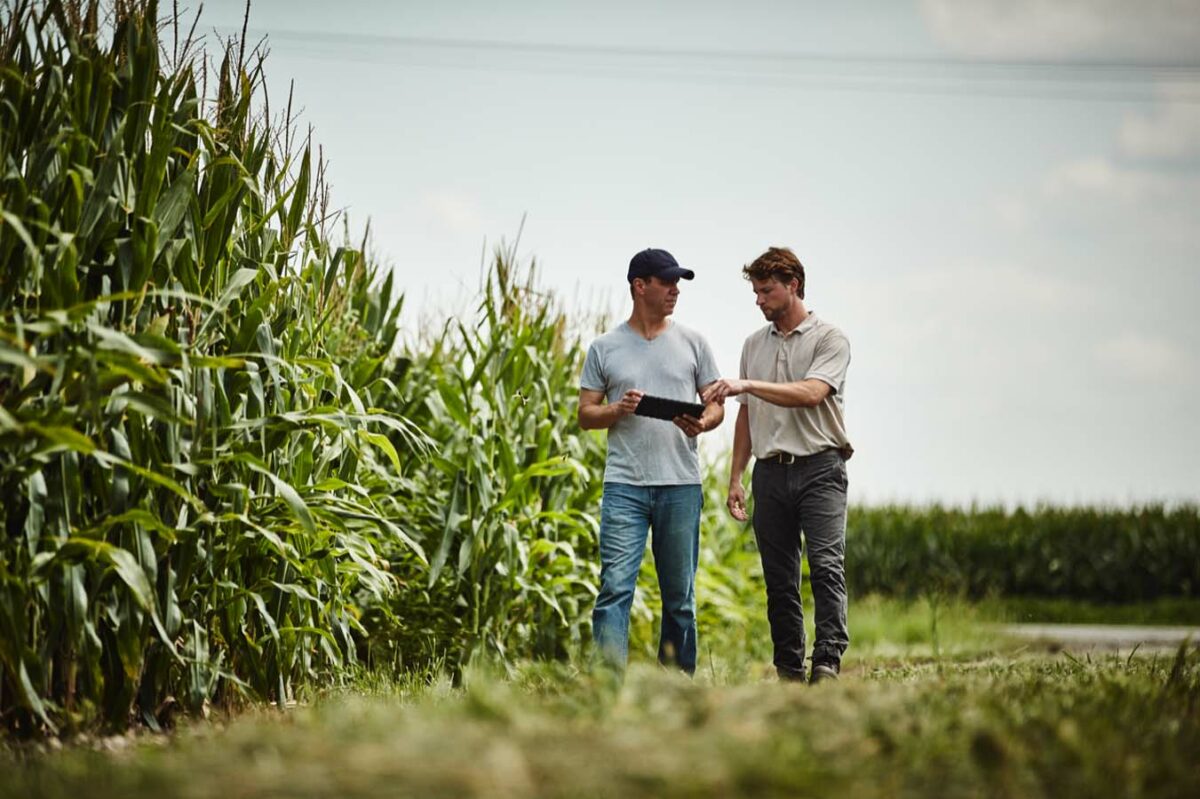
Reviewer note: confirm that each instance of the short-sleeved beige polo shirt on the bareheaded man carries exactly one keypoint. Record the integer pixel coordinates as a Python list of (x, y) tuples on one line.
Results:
[(815, 350)]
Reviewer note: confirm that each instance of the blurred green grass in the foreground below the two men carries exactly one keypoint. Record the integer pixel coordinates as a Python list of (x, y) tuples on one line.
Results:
[(962, 714)]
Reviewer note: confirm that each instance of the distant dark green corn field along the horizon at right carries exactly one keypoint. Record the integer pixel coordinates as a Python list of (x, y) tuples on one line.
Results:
[(1083, 554)]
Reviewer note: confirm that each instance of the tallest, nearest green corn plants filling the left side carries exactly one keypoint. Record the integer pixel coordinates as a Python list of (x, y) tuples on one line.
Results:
[(196, 474)]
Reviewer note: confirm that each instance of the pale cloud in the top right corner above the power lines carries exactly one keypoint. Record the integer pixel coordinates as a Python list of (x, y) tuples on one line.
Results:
[(1153, 31)]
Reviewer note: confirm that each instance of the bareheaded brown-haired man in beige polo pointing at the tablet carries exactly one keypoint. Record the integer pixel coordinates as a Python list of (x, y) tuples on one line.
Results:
[(790, 388)]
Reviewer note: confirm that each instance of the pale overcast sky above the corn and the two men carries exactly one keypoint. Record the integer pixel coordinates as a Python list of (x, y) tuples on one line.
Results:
[(999, 201)]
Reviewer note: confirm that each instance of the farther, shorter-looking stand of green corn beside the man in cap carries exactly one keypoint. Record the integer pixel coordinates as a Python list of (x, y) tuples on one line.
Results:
[(508, 508)]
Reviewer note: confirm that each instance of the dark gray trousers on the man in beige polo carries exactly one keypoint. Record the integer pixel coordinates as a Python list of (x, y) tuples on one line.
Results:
[(808, 496)]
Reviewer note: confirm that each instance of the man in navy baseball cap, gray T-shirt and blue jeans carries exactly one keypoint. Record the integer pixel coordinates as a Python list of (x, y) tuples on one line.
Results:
[(652, 479)]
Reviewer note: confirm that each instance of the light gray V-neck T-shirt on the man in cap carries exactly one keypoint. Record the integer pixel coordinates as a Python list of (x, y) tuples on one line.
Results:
[(677, 364)]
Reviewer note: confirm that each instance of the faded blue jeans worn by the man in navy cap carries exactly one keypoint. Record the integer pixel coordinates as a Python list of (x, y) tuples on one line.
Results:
[(626, 514)]
